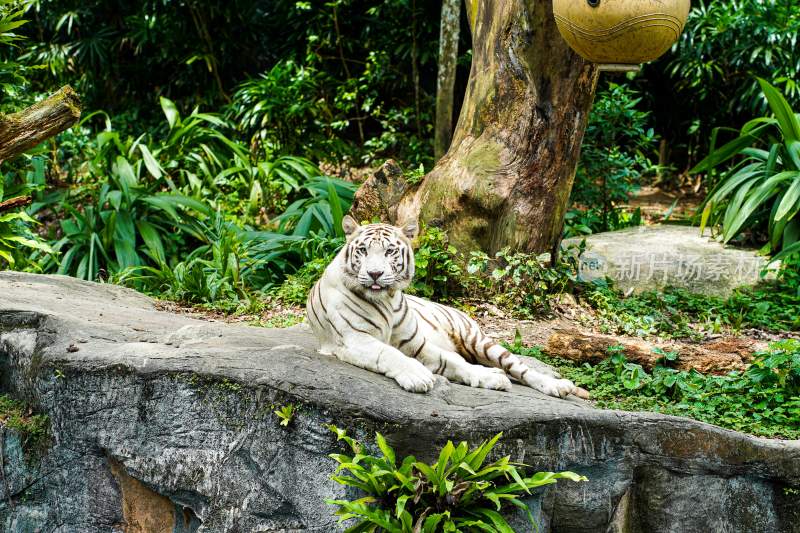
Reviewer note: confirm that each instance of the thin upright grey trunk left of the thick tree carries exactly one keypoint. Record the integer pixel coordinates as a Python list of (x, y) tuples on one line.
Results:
[(445, 82)]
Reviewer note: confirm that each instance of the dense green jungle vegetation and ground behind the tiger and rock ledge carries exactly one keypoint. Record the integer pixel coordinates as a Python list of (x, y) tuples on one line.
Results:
[(221, 143)]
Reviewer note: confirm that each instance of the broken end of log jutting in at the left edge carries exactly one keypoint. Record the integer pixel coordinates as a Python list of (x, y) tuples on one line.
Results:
[(24, 130)]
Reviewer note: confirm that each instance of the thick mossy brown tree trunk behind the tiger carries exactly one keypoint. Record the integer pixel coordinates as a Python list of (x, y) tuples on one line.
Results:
[(506, 178)]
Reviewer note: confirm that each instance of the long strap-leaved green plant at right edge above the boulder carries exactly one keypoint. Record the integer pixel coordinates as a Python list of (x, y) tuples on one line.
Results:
[(760, 188)]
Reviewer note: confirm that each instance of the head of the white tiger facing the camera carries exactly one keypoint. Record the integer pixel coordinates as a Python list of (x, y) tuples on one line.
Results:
[(378, 258)]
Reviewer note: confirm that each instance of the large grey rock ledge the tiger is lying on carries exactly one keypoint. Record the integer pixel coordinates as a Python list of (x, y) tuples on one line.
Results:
[(164, 423)]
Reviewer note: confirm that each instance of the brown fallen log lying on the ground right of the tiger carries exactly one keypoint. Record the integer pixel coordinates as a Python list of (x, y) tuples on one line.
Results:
[(716, 357)]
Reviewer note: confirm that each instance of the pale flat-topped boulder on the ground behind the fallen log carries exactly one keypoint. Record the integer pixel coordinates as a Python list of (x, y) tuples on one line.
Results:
[(653, 257)]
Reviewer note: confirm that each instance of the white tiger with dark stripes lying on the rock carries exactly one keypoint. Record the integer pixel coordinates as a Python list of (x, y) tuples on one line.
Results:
[(359, 313)]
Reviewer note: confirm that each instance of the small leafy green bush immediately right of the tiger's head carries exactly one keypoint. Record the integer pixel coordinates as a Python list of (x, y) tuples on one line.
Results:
[(437, 266)]
